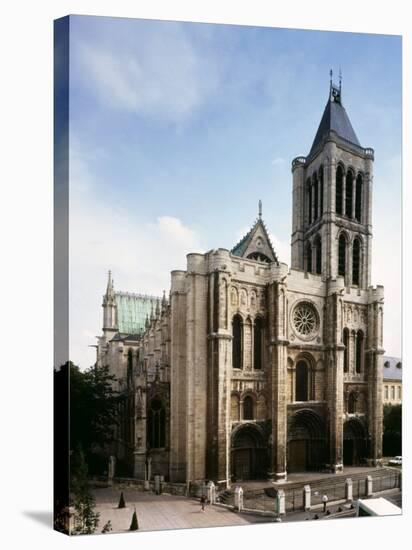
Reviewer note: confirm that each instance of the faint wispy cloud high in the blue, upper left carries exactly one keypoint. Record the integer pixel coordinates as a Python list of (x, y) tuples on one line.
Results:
[(157, 76)]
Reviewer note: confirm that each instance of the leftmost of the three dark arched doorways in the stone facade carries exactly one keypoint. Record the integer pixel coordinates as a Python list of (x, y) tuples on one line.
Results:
[(249, 456)]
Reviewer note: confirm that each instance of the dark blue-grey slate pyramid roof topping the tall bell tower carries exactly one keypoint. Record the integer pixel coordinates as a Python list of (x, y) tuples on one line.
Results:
[(334, 119)]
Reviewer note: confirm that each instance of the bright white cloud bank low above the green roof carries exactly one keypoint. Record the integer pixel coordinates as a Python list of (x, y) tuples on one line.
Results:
[(102, 237)]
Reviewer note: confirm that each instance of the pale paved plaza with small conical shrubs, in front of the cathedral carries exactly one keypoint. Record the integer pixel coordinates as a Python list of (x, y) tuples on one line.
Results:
[(157, 512)]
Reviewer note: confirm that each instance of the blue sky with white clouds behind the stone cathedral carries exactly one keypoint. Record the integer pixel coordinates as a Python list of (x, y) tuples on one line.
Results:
[(178, 129)]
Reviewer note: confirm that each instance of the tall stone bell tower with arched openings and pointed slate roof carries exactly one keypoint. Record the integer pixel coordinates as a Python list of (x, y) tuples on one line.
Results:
[(332, 197)]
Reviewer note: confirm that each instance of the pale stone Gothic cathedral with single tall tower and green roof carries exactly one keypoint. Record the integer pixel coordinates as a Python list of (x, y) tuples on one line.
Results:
[(250, 369)]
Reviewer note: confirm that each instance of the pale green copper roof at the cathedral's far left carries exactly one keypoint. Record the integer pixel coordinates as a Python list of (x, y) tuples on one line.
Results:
[(132, 310)]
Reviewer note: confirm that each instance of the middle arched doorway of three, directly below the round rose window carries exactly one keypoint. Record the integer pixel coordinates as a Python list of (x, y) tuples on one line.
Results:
[(306, 442)]
